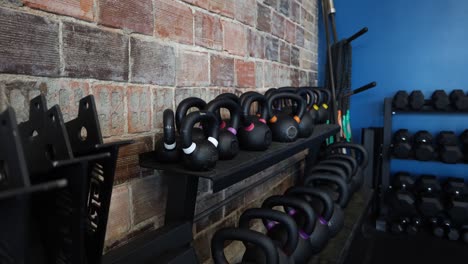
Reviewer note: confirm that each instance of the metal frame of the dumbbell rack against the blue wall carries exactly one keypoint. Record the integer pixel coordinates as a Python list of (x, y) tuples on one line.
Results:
[(386, 155)]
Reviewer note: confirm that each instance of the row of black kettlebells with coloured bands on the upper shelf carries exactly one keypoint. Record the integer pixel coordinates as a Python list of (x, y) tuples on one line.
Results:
[(282, 115)]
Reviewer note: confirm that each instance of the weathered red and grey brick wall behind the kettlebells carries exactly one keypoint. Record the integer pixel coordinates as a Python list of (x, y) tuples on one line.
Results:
[(140, 57)]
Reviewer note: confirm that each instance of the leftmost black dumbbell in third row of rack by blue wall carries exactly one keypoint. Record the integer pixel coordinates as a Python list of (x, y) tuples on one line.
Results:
[(401, 198)]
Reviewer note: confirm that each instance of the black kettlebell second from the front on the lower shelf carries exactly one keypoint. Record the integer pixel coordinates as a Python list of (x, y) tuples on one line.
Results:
[(284, 233)]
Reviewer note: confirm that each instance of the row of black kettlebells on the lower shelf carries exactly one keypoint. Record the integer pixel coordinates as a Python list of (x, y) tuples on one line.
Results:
[(312, 214)]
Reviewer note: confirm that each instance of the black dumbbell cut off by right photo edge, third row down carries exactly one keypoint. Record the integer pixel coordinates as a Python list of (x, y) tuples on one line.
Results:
[(456, 193)]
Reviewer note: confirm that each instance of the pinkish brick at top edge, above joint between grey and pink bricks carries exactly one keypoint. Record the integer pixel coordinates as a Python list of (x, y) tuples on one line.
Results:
[(174, 21)]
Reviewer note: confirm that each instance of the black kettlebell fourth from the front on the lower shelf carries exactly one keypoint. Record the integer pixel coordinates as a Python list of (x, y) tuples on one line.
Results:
[(331, 214)]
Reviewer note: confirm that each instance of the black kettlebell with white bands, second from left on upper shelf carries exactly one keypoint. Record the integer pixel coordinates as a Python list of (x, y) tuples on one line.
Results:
[(200, 154)]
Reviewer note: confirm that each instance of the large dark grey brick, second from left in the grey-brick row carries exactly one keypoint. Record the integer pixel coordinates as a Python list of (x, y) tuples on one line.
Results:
[(90, 52)]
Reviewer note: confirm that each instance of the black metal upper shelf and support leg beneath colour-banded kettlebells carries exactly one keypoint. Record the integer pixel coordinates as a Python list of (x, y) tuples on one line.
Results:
[(173, 242)]
